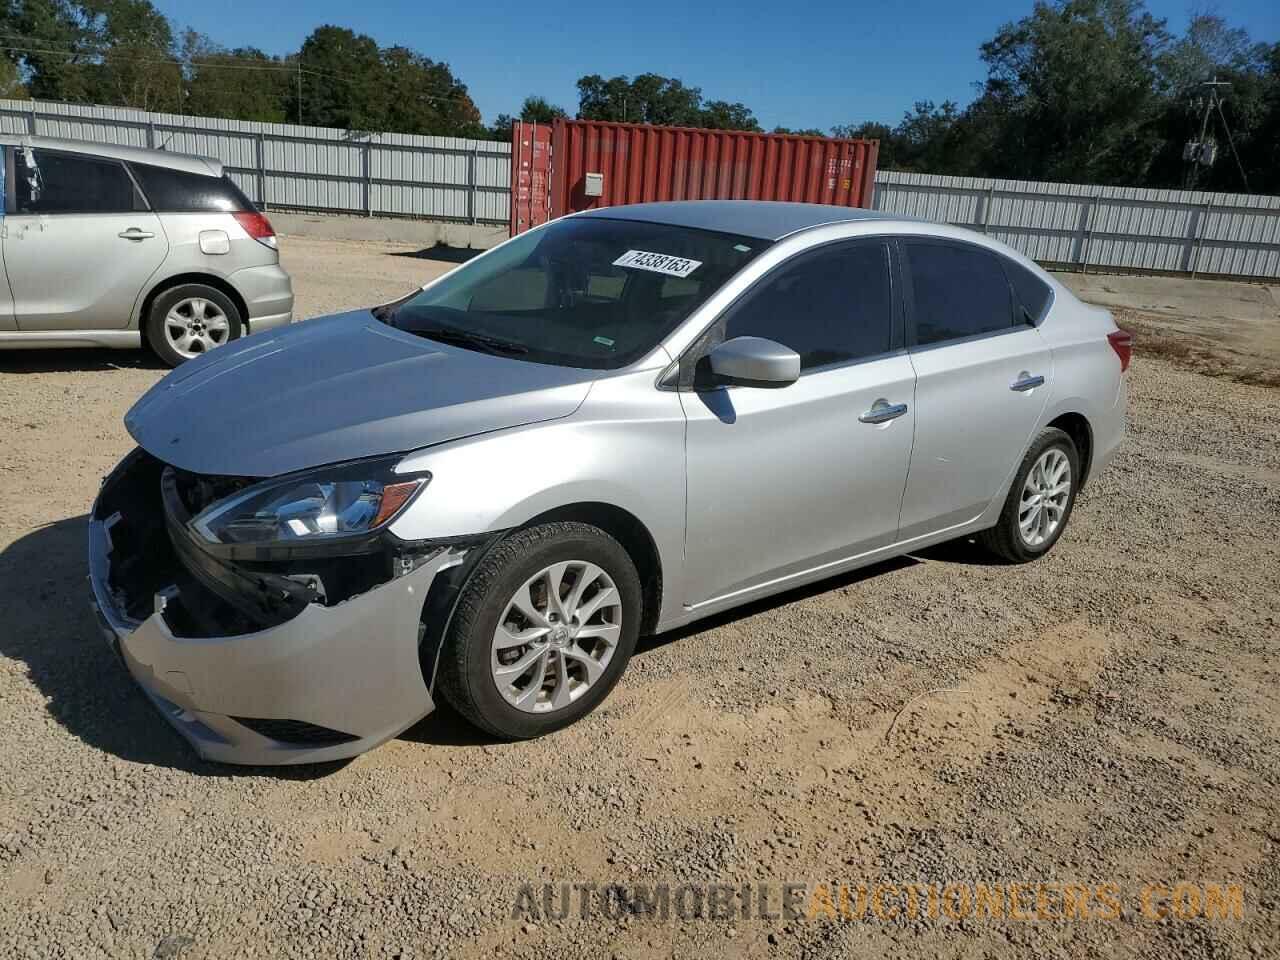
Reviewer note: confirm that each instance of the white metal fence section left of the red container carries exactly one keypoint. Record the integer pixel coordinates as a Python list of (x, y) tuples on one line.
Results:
[(305, 168)]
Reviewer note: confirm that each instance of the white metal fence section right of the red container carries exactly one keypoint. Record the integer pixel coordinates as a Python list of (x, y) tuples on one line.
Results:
[(1107, 228)]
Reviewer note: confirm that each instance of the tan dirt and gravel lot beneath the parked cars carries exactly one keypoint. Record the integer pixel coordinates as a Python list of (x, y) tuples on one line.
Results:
[(1108, 716)]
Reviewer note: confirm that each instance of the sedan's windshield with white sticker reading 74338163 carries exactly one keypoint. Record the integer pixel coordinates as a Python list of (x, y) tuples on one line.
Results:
[(583, 292)]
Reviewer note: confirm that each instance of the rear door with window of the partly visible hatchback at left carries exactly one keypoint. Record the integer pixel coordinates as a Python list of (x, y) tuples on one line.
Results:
[(79, 241)]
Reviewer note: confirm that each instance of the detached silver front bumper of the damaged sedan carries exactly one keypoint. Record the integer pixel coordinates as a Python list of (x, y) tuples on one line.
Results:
[(353, 669)]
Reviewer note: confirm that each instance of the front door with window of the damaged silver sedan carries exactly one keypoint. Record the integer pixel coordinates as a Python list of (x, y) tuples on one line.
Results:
[(781, 482)]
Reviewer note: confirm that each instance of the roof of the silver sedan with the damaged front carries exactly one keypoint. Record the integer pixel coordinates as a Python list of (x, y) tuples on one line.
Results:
[(764, 220)]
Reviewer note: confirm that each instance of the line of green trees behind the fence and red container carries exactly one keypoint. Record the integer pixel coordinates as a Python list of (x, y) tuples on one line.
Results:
[(1089, 92)]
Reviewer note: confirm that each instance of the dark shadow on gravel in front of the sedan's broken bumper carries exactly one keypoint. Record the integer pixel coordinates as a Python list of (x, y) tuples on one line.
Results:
[(47, 624)]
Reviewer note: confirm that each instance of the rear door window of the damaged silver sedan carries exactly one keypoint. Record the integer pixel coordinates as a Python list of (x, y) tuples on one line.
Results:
[(958, 291)]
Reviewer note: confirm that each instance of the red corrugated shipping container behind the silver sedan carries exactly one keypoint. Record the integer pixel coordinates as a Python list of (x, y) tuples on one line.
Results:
[(574, 166)]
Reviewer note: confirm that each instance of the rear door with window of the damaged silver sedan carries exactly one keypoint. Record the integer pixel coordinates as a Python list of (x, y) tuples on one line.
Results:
[(984, 376)]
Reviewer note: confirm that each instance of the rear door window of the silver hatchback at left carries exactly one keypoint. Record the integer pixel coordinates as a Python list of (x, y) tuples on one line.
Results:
[(70, 184)]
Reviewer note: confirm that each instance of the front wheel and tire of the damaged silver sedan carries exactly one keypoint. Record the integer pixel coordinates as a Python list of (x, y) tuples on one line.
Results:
[(486, 684)]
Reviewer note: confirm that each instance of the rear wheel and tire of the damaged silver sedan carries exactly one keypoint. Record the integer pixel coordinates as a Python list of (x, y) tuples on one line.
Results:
[(1008, 538)]
